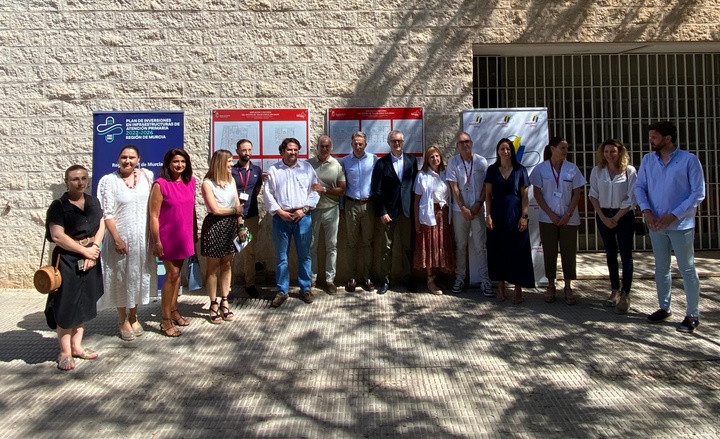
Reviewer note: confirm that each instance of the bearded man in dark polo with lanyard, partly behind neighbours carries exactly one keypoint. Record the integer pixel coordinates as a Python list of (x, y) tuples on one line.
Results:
[(248, 179)]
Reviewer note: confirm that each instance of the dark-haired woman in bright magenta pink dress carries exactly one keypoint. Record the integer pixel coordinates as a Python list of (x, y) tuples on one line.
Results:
[(174, 230)]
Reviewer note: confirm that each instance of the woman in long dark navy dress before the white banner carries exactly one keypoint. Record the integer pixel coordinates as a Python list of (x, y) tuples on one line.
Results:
[(506, 203)]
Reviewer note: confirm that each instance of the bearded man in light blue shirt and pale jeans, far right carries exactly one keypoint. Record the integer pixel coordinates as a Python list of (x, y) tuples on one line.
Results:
[(669, 188)]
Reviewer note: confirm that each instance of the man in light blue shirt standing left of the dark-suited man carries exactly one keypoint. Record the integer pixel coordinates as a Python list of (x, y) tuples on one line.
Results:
[(358, 211)]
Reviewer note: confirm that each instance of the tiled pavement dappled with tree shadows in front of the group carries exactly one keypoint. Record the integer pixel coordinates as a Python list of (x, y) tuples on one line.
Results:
[(399, 365)]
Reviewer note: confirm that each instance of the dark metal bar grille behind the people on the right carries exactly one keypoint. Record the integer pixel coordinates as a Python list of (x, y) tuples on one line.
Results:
[(591, 98)]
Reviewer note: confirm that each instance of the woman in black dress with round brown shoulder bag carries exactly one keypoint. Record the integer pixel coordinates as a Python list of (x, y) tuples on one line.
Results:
[(75, 224)]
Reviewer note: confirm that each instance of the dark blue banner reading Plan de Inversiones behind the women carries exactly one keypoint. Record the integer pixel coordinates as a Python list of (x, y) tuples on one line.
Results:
[(152, 132)]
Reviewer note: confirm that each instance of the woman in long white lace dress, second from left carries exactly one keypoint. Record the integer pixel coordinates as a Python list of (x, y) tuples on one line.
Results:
[(129, 269)]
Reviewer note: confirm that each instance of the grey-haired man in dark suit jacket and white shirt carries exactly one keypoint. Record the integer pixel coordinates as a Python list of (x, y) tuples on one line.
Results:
[(392, 194)]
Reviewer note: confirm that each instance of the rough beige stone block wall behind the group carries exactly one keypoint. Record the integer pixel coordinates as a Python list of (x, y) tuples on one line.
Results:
[(62, 59)]
